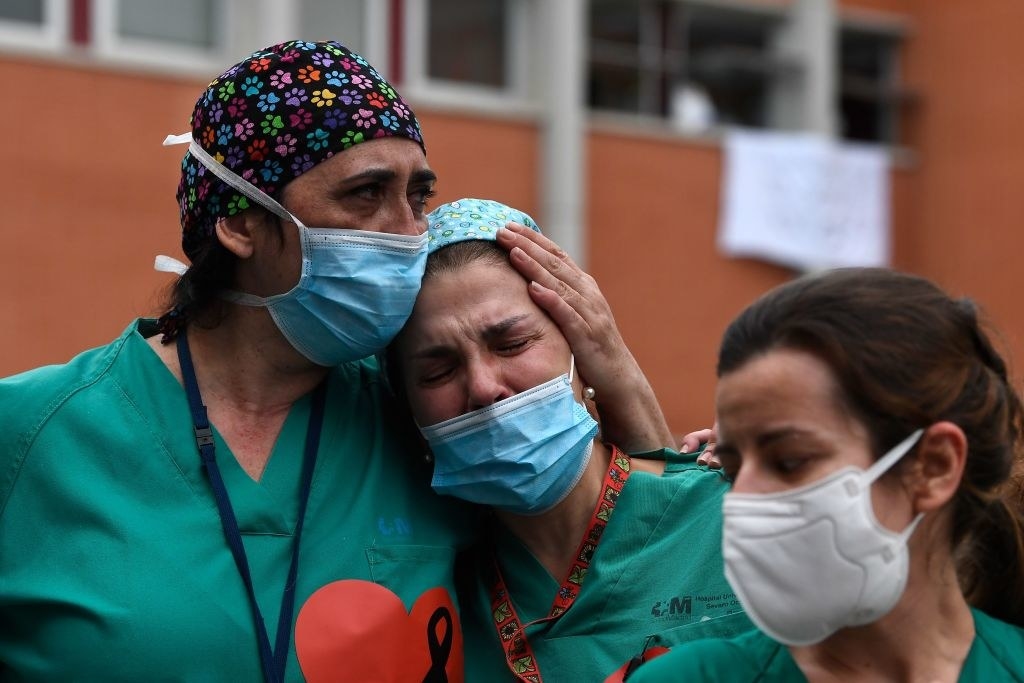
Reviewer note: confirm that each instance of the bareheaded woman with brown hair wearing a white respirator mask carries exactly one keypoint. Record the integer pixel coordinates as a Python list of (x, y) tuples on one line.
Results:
[(874, 531)]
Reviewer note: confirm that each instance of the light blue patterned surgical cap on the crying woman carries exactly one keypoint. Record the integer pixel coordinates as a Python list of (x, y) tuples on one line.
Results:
[(472, 220)]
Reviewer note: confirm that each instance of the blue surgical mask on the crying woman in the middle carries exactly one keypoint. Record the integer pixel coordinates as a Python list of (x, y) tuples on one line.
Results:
[(523, 455)]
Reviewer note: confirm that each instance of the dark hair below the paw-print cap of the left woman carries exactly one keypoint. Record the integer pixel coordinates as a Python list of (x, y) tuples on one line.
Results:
[(195, 298)]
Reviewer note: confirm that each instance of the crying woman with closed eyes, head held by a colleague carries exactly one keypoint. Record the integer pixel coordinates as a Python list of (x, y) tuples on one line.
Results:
[(510, 424)]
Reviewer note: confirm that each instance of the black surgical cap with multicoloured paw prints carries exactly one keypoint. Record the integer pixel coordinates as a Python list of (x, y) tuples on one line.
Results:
[(276, 115)]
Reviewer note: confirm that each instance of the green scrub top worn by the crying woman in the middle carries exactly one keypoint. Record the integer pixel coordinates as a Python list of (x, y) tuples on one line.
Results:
[(658, 573)]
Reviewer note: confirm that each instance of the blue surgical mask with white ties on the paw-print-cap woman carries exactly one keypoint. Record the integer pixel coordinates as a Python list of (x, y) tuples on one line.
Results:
[(357, 288)]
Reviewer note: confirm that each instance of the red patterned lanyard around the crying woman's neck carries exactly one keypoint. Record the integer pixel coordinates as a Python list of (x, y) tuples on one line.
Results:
[(511, 631)]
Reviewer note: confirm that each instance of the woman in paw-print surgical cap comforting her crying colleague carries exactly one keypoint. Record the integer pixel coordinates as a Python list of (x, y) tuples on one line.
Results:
[(227, 493)]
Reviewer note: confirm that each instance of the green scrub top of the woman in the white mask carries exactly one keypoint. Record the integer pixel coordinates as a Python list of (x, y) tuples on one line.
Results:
[(997, 655)]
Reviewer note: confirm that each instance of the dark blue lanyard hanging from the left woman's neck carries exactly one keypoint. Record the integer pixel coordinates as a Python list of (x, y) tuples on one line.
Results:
[(274, 662)]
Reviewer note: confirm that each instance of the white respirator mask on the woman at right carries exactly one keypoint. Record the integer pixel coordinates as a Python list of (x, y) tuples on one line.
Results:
[(810, 562)]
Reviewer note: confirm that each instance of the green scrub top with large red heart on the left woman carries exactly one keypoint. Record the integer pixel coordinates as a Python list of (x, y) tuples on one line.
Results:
[(114, 566)]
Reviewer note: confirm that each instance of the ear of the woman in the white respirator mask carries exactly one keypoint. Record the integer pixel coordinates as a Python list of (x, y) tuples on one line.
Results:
[(935, 476)]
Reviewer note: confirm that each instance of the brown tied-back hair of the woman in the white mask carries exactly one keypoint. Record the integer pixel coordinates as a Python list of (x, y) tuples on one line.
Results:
[(907, 356)]
